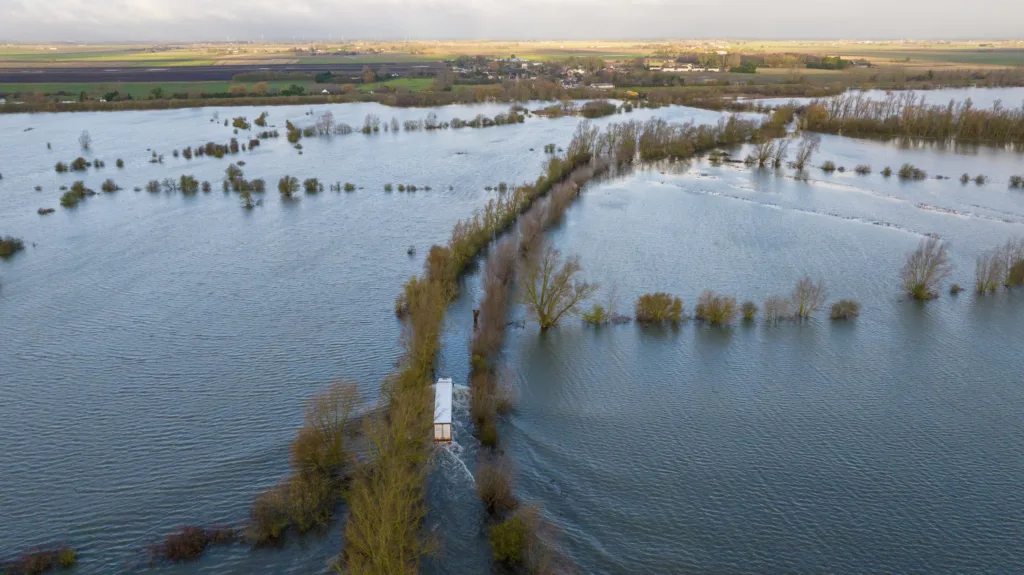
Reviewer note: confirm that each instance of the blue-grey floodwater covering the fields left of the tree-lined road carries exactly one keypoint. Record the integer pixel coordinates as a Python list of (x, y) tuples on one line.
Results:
[(156, 350)]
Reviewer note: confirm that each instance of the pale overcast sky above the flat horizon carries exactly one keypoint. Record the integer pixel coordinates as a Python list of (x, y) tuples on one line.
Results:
[(23, 21)]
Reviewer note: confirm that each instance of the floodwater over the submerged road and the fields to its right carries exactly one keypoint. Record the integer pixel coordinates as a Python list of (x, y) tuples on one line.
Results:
[(889, 445)]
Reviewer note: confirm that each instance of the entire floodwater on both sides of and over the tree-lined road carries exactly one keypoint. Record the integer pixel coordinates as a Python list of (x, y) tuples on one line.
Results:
[(156, 350)]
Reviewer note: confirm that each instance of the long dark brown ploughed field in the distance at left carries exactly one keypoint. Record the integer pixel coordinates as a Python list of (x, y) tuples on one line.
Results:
[(193, 73)]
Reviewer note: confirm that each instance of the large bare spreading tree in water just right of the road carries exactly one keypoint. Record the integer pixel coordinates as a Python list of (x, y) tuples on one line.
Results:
[(550, 289)]
